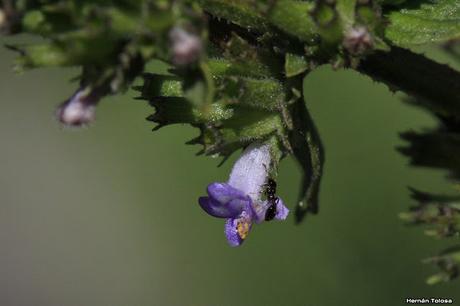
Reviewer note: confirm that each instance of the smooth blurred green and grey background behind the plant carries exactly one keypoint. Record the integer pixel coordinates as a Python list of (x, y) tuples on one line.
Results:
[(108, 215)]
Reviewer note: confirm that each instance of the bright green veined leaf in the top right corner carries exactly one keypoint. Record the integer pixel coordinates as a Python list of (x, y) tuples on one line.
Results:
[(428, 22)]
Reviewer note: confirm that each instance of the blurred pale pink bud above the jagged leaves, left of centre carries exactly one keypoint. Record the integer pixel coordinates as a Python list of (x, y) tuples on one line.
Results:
[(186, 46)]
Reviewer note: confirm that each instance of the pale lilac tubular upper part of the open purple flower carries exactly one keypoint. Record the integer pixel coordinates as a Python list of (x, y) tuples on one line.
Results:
[(249, 173)]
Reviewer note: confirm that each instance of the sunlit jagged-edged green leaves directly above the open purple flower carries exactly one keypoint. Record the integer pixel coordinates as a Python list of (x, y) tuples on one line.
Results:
[(242, 110)]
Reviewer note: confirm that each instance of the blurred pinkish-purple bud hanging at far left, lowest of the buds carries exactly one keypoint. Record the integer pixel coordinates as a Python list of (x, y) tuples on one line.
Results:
[(79, 110)]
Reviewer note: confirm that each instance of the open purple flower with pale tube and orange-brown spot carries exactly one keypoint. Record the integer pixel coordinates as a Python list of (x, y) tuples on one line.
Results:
[(239, 200)]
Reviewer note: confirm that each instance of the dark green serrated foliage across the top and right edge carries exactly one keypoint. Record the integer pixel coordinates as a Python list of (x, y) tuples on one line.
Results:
[(234, 70)]
